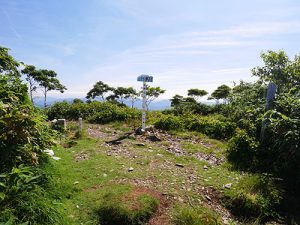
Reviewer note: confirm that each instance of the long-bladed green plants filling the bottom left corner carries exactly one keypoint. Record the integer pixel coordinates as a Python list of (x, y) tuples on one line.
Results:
[(25, 197)]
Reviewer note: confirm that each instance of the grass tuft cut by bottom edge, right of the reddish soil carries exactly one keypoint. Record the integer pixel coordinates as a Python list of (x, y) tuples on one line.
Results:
[(194, 216)]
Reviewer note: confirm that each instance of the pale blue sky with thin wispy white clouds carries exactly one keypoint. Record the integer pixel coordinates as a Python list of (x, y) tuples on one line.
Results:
[(183, 44)]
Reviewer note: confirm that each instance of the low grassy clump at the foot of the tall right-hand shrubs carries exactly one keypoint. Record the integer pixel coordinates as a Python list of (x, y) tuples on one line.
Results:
[(258, 199)]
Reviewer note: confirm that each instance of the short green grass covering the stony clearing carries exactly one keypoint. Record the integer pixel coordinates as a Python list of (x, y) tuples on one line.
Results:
[(85, 184)]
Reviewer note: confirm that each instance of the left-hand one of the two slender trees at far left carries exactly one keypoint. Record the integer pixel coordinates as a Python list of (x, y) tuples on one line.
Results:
[(32, 76)]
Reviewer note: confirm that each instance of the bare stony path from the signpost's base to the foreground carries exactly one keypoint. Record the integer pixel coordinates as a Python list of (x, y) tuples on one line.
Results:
[(184, 181)]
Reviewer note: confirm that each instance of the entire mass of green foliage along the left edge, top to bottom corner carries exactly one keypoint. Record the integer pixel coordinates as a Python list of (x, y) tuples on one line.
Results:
[(23, 137)]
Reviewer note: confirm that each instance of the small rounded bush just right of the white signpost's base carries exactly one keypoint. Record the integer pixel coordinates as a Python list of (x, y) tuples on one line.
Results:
[(169, 123)]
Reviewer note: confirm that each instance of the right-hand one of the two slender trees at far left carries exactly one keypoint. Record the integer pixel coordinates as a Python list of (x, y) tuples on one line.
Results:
[(48, 81)]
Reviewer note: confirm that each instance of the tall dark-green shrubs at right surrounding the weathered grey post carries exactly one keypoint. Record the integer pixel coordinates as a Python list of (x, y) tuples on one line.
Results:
[(268, 139)]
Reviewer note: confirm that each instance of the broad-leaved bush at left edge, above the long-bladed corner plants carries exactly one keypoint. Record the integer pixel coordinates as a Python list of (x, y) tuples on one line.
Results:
[(23, 133)]
